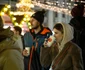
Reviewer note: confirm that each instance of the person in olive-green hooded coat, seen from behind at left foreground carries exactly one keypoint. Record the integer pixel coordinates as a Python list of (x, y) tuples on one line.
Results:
[(10, 53)]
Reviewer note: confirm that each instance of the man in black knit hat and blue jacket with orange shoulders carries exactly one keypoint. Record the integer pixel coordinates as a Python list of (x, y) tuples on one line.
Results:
[(36, 38)]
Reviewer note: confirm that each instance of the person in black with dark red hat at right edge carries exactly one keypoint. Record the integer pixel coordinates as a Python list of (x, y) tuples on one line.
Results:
[(78, 23)]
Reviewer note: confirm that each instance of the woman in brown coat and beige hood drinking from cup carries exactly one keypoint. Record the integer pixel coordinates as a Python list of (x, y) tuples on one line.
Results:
[(63, 54)]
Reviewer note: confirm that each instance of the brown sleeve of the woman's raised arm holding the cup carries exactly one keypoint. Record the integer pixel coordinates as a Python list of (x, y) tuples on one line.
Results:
[(47, 54)]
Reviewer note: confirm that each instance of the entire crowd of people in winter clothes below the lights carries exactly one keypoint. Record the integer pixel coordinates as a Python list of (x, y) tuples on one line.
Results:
[(67, 52)]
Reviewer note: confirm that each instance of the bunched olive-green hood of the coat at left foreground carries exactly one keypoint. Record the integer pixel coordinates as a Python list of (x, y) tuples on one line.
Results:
[(7, 40)]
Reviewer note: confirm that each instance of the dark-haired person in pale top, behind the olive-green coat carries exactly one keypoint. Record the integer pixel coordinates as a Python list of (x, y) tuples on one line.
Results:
[(17, 31)]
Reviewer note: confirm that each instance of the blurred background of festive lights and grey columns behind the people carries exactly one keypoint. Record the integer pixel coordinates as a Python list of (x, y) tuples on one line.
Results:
[(18, 12)]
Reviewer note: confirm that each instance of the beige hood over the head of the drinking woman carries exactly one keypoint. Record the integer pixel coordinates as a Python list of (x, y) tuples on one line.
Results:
[(67, 34)]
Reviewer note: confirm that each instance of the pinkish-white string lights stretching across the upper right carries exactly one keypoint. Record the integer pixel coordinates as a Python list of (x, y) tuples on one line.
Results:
[(65, 7)]
